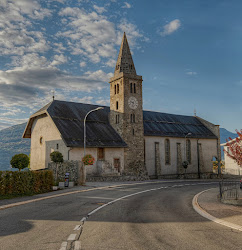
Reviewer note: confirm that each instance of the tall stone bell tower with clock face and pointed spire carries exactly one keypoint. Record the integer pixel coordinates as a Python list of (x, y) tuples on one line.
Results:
[(126, 109)]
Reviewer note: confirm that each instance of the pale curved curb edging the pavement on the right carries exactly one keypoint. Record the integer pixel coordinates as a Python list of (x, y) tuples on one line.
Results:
[(208, 216)]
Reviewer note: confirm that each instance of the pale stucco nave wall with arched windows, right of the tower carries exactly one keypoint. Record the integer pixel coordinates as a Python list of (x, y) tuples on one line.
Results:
[(209, 150)]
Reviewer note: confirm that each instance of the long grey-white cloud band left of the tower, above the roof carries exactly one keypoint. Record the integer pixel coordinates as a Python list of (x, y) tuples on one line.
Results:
[(21, 86)]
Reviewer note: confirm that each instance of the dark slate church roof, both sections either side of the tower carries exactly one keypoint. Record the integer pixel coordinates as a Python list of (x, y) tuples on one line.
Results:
[(69, 116)]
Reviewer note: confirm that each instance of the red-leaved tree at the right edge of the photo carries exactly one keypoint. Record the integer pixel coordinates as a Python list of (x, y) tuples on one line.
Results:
[(235, 148)]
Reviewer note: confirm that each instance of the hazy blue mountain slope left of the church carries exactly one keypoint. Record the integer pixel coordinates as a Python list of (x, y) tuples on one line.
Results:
[(11, 143)]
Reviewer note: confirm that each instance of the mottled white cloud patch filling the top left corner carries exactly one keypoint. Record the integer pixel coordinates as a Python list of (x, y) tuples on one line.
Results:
[(16, 35)]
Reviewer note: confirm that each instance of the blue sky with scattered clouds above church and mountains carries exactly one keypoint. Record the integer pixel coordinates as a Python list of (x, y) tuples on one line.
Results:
[(188, 52)]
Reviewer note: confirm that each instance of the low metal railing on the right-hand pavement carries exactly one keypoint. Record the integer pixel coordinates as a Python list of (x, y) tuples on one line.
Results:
[(229, 190)]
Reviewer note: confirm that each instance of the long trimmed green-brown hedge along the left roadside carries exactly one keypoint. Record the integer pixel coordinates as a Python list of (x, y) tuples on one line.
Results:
[(31, 182)]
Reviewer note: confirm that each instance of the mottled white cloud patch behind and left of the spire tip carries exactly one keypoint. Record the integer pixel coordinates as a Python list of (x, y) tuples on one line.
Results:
[(93, 36)]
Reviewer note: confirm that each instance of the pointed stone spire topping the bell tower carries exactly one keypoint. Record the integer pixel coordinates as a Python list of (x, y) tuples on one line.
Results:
[(125, 62)]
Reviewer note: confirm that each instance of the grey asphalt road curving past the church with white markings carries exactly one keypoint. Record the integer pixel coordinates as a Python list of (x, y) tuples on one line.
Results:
[(150, 216)]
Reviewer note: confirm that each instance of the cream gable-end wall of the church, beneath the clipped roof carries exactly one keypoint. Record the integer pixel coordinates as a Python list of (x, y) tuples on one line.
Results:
[(44, 127)]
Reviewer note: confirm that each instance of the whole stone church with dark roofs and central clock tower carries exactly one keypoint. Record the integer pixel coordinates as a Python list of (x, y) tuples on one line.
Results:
[(123, 138)]
